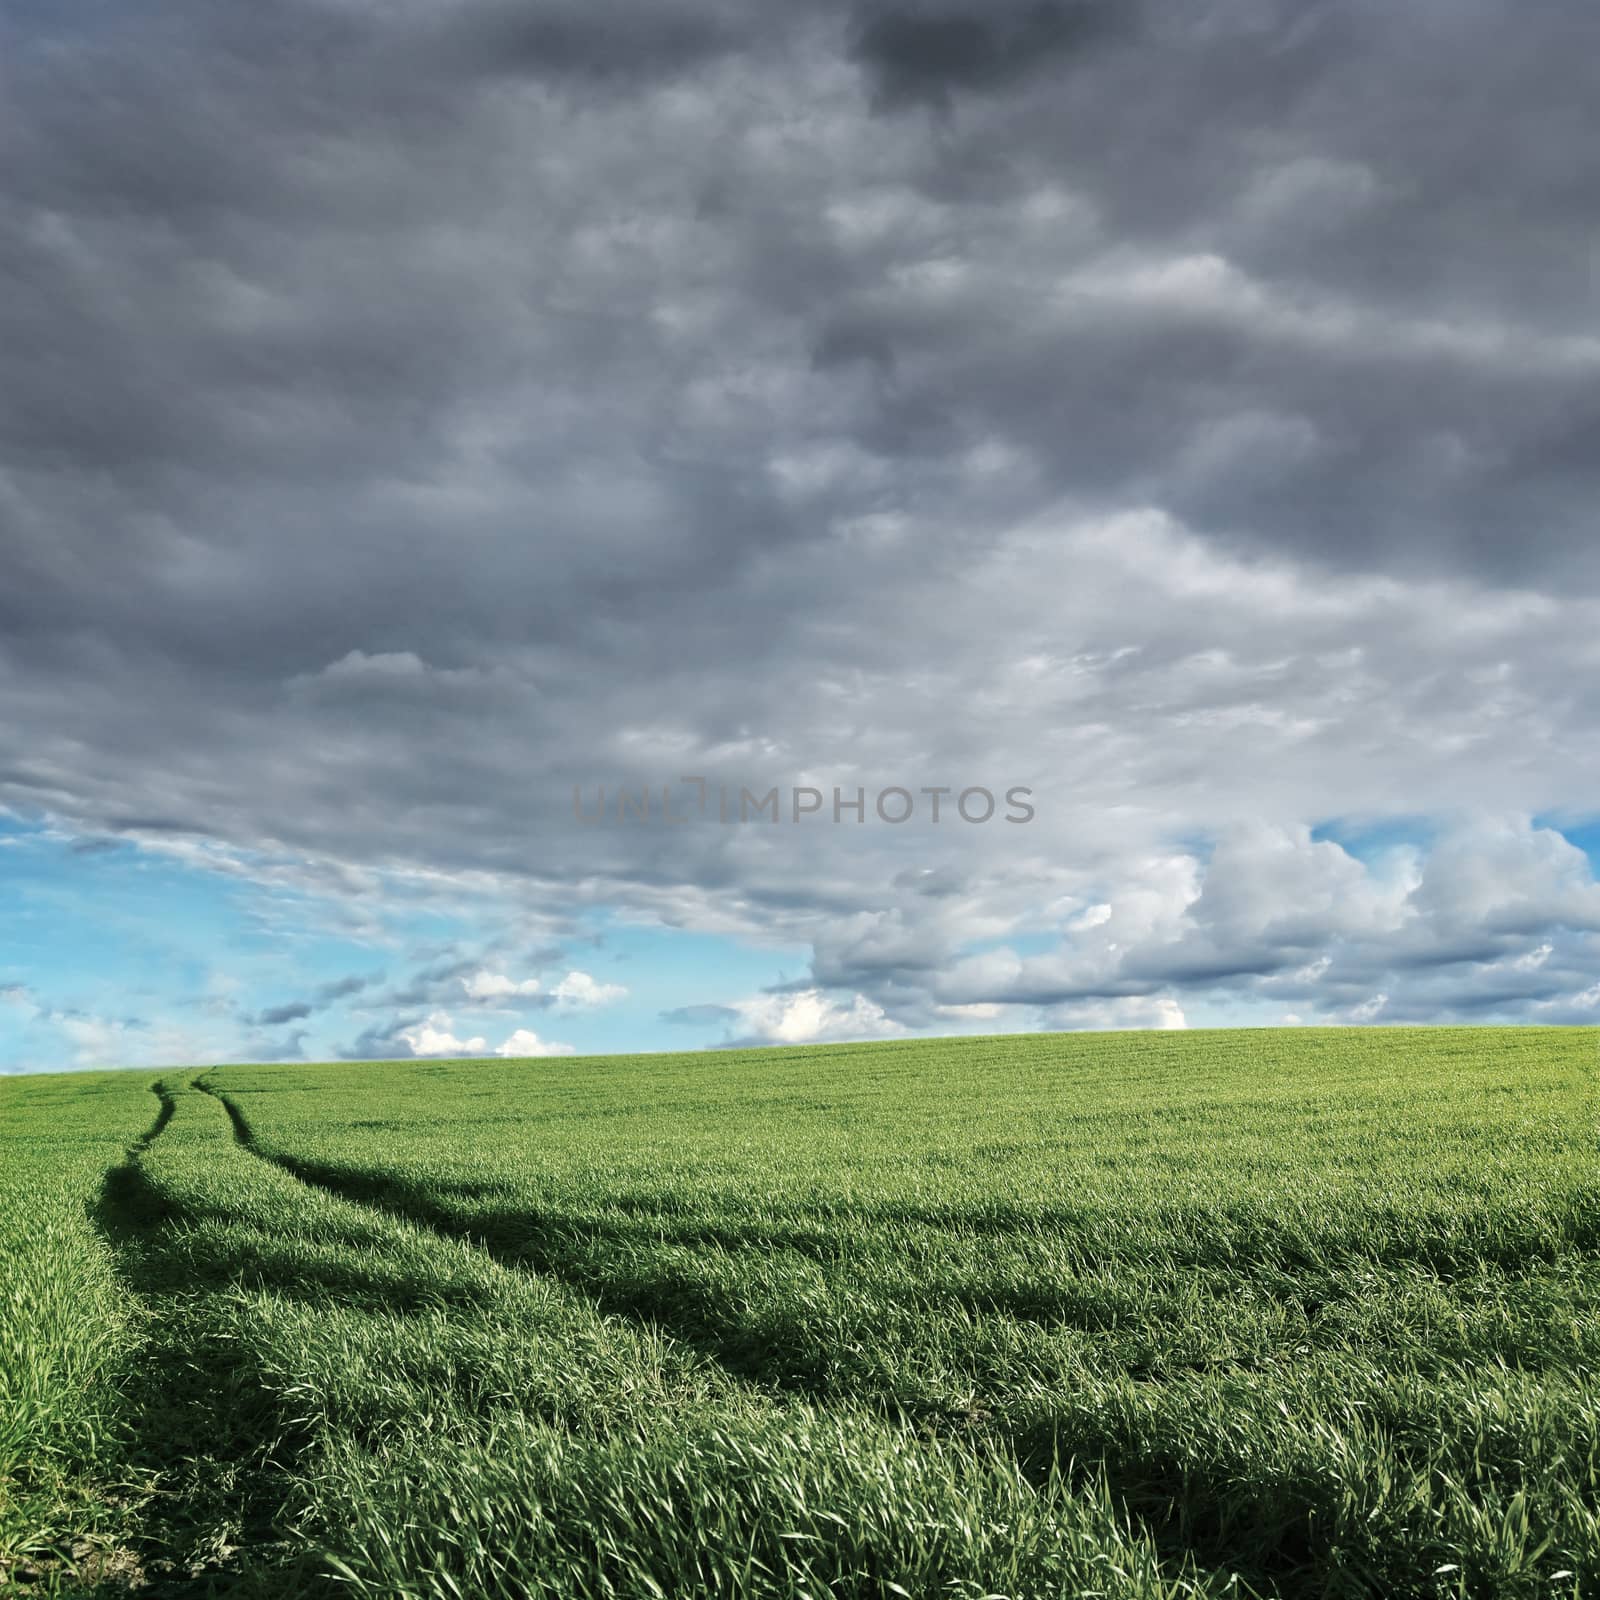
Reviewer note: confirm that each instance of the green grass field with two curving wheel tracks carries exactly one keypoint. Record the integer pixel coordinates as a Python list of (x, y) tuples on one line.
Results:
[(1305, 1313)]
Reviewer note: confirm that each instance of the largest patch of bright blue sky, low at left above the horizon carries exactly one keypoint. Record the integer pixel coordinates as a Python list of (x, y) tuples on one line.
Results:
[(151, 942)]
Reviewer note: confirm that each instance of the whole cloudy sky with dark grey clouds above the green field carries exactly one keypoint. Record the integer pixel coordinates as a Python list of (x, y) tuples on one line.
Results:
[(425, 423)]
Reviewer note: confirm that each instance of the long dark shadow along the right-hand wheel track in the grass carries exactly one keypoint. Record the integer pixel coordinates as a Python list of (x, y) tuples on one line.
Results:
[(1278, 1534)]
